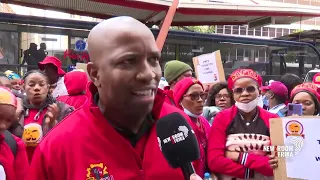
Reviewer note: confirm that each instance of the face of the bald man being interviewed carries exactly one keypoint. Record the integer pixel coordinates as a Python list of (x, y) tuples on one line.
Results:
[(129, 72)]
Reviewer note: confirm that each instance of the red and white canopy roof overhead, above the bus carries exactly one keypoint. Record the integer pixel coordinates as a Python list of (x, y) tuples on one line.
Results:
[(197, 12)]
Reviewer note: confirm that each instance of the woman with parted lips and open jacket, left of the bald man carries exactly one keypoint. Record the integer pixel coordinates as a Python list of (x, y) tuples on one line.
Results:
[(40, 110)]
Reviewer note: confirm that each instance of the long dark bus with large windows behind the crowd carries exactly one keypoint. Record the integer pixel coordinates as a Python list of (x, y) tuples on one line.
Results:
[(270, 58)]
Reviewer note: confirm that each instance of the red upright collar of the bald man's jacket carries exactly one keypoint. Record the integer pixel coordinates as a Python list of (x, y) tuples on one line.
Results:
[(157, 106)]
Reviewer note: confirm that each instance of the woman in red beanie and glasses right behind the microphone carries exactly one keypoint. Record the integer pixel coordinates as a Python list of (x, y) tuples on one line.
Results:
[(189, 96)]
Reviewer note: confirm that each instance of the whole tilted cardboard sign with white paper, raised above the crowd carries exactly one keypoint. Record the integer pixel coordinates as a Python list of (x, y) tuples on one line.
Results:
[(209, 68)]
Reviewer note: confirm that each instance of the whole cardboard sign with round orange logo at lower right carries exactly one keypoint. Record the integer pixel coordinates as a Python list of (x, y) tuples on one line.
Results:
[(301, 157)]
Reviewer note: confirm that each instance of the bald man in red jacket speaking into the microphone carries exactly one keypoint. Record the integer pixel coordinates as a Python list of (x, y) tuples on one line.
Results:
[(113, 135)]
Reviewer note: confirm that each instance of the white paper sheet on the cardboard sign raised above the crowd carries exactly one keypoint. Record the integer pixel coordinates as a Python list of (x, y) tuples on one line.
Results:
[(207, 68)]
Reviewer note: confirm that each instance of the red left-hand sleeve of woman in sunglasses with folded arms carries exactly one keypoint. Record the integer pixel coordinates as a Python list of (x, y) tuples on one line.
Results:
[(217, 161)]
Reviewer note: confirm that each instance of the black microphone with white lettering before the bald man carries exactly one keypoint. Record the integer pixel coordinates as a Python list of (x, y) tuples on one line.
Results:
[(178, 143)]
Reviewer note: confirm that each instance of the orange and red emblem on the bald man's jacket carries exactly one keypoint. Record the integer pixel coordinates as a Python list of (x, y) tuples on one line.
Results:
[(98, 172)]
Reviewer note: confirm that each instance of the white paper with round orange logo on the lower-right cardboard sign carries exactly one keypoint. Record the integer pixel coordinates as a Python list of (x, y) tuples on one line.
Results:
[(303, 134)]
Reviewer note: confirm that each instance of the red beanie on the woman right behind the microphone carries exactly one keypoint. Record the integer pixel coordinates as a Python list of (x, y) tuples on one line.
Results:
[(182, 87)]
